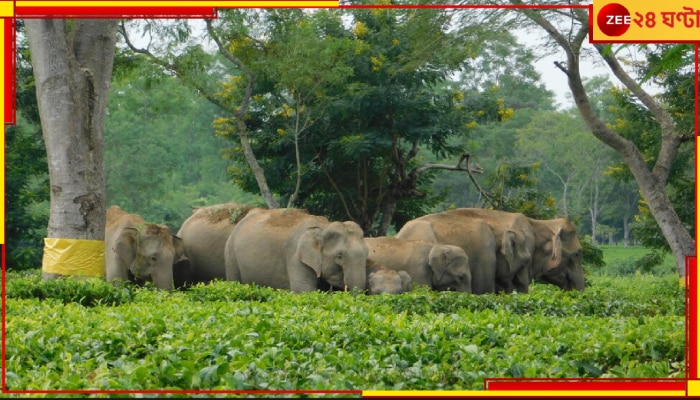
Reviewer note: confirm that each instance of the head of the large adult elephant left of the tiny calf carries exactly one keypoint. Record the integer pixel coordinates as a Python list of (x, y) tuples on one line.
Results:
[(337, 253)]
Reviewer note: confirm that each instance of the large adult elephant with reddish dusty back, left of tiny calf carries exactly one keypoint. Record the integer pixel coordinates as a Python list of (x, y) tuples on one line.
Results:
[(290, 249)]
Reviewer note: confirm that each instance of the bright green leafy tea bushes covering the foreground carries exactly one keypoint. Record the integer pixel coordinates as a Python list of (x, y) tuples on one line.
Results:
[(87, 334)]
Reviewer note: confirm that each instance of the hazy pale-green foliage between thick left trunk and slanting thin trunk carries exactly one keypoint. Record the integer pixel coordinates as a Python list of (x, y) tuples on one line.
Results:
[(161, 154)]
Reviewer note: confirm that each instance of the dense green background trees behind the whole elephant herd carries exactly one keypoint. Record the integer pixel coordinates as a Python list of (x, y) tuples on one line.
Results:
[(360, 114)]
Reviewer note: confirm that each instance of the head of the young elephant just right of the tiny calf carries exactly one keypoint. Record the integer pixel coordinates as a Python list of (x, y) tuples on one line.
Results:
[(450, 266)]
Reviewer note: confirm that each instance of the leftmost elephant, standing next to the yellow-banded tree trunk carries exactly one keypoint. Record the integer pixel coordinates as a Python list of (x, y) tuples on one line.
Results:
[(137, 251)]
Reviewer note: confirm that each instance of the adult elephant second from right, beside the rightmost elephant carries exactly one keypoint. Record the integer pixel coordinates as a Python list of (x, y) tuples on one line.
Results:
[(515, 246)]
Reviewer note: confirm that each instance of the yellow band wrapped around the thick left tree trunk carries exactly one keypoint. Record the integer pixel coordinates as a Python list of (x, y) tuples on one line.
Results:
[(74, 257)]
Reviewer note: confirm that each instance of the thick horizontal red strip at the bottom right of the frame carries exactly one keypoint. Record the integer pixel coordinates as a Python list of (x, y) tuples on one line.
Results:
[(597, 384)]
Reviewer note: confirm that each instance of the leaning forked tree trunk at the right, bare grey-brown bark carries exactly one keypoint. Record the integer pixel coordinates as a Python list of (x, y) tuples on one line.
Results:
[(569, 28)]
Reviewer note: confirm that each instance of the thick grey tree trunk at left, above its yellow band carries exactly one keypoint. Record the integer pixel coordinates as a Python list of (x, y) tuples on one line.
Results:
[(72, 63)]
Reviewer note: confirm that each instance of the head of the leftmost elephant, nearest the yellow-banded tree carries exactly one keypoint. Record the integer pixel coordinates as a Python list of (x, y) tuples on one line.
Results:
[(149, 252)]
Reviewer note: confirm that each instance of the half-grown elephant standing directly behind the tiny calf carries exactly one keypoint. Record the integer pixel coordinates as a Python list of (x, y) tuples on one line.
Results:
[(442, 267)]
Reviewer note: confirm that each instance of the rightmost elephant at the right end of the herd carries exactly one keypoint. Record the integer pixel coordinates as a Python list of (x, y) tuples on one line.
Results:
[(558, 254)]
